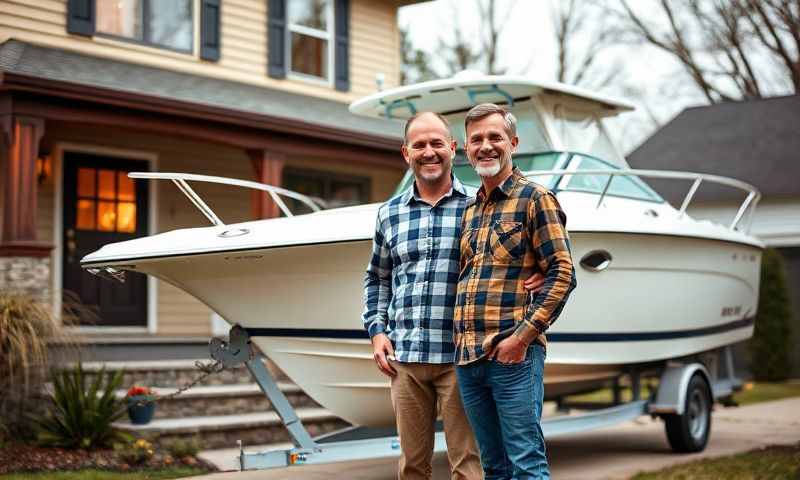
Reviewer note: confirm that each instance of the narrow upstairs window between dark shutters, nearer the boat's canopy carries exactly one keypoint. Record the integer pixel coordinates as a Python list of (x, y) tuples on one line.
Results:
[(310, 35)]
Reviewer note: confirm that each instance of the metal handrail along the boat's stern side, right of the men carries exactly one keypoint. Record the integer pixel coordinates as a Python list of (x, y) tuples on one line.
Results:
[(753, 195)]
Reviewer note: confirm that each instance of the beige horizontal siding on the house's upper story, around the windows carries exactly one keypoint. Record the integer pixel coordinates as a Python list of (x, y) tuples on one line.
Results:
[(374, 46)]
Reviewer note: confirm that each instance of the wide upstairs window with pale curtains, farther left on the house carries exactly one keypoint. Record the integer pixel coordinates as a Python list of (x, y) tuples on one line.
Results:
[(163, 23)]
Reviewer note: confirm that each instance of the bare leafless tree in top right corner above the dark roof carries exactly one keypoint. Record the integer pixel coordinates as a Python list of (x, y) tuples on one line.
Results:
[(729, 48)]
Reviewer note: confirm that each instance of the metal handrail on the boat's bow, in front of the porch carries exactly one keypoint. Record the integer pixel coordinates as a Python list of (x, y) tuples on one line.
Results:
[(181, 179)]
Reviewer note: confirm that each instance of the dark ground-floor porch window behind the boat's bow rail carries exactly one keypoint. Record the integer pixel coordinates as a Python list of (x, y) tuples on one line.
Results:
[(335, 189)]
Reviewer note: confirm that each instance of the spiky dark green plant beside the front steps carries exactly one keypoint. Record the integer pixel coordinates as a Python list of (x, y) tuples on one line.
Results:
[(82, 414)]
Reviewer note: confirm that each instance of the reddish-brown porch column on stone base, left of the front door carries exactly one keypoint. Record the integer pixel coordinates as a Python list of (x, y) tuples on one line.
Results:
[(24, 260)]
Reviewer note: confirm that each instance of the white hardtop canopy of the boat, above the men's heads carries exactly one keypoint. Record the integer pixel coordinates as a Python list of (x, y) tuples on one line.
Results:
[(551, 116)]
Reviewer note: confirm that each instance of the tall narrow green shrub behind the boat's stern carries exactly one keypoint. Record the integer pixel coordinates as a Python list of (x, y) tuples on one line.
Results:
[(771, 342)]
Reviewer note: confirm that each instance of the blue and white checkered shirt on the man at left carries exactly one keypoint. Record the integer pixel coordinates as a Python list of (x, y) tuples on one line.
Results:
[(410, 286)]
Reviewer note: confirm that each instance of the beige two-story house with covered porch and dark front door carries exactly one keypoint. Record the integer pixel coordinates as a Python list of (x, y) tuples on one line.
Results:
[(250, 89)]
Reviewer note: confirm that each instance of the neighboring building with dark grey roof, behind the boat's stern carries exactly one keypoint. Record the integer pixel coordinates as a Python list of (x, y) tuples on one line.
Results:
[(755, 141)]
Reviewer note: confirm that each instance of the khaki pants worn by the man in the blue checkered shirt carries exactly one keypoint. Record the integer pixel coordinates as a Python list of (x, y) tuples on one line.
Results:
[(419, 392)]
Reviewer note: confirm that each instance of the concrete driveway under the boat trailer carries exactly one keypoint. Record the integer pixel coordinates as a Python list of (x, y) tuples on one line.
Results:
[(613, 453)]
